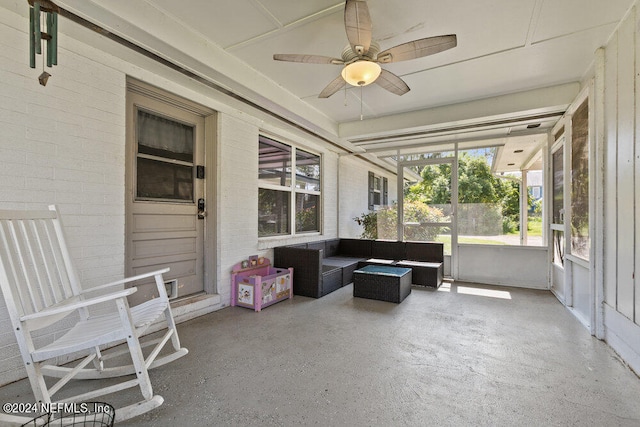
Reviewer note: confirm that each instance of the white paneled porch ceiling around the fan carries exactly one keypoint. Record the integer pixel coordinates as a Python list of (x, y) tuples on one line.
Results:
[(517, 61)]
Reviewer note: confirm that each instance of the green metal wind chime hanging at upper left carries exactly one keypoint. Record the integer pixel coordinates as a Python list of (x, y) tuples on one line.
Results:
[(43, 25)]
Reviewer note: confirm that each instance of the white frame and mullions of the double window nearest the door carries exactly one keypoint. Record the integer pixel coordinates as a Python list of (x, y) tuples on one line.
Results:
[(292, 190)]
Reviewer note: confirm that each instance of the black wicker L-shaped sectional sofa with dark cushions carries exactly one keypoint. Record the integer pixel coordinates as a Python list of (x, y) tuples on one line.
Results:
[(324, 266)]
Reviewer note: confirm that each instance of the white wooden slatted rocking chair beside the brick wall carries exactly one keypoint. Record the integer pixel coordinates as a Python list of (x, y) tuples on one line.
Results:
[(40, 288)]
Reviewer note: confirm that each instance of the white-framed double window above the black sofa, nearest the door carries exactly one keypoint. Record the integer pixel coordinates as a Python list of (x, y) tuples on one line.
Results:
[(286, 200)]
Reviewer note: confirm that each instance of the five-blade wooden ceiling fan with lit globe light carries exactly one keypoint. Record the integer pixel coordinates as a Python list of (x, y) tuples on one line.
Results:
[(362, 56)]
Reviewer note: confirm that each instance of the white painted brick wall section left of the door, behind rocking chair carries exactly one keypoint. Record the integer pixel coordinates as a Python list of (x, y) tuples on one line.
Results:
[(62, 144)]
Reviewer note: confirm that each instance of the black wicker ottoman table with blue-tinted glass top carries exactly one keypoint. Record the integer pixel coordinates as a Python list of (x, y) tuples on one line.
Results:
[(382, 283)]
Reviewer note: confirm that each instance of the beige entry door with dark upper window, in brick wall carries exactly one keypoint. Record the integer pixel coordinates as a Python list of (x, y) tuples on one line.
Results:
[(165, 194)]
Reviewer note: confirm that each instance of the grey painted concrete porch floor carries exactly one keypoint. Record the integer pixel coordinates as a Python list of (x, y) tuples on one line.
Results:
[(466, 355)]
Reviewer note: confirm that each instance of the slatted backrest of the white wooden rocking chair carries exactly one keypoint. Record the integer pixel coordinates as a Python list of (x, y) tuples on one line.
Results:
[(35, 269)]
